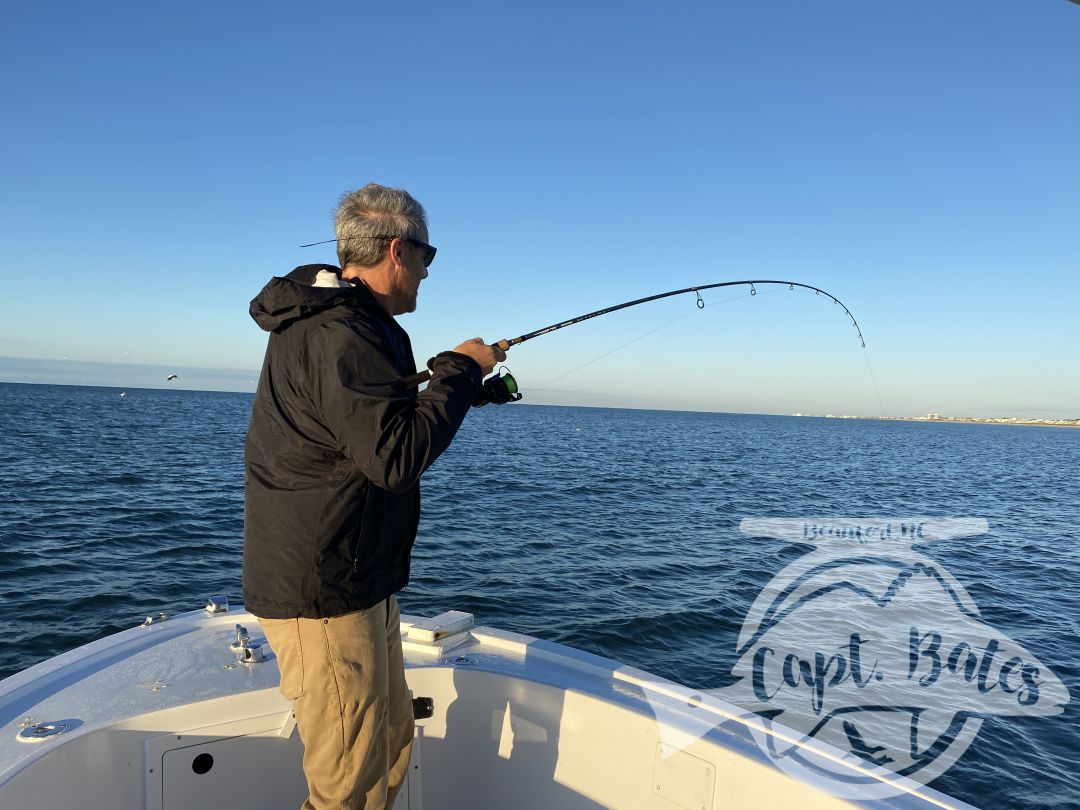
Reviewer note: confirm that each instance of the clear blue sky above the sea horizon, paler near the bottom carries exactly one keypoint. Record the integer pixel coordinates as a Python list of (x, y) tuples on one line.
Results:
[(919, 160)]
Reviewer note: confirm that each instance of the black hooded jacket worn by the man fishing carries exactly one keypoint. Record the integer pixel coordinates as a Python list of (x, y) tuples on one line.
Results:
[(335, 450)]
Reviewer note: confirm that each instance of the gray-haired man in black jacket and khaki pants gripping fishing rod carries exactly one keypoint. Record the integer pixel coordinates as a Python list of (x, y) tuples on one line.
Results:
[(335, 451)]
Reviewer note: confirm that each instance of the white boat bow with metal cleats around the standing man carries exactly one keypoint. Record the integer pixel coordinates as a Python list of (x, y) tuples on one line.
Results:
[(184, 712)]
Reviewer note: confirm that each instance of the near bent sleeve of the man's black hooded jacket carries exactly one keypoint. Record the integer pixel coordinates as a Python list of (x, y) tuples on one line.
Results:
[(389, 433)]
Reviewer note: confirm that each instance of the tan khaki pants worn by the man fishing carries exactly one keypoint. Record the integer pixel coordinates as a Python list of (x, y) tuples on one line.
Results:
[(346, 679)]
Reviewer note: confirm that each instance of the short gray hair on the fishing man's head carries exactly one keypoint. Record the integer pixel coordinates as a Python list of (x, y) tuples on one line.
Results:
[(375, 211)]
